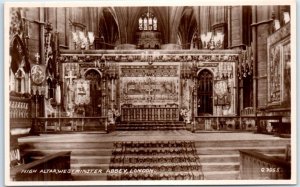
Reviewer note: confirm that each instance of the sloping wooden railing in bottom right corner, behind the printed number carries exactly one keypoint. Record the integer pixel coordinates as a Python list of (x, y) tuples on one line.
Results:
[(255, 165)]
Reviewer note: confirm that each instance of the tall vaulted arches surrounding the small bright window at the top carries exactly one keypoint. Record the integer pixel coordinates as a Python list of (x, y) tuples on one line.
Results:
[(119, 24)]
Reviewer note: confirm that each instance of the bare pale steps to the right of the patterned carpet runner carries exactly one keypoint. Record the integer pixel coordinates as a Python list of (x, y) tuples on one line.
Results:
[(220, 159)]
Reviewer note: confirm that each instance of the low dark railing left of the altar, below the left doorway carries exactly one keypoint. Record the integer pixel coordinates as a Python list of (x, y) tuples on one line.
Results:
[(51, 124)]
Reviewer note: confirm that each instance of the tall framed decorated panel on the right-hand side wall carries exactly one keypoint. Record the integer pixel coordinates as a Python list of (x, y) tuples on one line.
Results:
[(279, 62)]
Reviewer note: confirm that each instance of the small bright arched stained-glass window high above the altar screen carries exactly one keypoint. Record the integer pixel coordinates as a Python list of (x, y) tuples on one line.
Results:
[(147, 22)]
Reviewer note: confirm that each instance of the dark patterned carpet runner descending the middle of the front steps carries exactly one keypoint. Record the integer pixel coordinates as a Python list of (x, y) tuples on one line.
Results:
[(167, 160)]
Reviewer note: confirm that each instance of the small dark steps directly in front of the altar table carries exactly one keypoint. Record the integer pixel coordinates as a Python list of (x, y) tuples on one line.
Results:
[(144, 125)]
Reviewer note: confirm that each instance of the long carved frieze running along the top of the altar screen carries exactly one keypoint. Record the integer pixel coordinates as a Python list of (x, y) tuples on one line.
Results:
[(141, 56)]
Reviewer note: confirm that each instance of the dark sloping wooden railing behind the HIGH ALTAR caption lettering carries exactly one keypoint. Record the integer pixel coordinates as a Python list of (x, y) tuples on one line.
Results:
[(55, 167)]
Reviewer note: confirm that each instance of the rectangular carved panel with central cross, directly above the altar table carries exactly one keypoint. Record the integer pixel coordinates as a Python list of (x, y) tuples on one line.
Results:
[(149, 84)]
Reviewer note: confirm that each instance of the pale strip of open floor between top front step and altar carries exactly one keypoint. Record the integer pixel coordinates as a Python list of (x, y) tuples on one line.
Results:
[(150, 136)]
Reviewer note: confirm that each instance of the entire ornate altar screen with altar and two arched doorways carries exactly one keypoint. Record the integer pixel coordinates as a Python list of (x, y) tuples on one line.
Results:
[(149, 85)]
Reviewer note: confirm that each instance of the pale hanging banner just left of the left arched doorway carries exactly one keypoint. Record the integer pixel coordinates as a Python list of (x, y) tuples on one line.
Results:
[(82, 91)]
